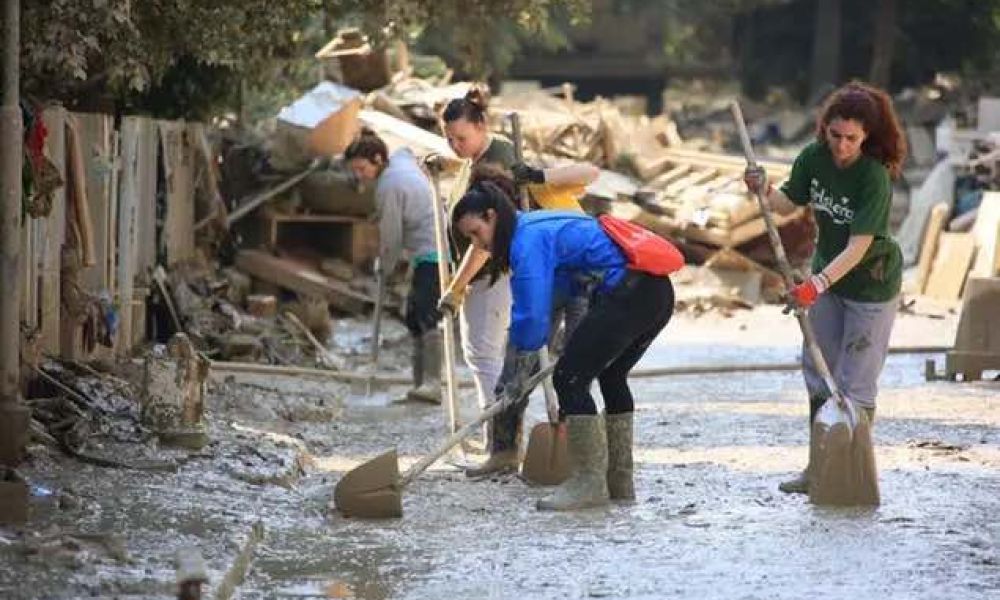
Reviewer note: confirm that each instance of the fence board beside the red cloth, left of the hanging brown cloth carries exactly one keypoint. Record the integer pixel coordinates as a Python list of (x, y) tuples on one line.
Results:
[(55, 235)]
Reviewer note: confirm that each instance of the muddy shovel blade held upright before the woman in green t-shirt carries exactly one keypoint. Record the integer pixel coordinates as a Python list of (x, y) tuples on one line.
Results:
[(843, 463)]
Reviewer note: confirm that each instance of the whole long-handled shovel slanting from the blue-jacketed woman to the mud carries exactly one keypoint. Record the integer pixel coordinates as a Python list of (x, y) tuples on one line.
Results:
[(374, 490)]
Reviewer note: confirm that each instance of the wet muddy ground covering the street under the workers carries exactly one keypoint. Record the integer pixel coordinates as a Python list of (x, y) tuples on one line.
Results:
[(709, 521)]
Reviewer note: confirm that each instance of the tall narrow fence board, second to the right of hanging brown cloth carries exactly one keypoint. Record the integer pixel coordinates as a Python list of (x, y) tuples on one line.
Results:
[(128, 229)]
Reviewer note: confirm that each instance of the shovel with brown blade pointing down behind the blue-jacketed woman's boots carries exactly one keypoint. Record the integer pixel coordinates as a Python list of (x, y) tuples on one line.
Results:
[(546, 462)]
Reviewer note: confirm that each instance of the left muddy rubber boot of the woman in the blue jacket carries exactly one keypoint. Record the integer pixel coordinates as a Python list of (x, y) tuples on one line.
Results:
[(587, 485)]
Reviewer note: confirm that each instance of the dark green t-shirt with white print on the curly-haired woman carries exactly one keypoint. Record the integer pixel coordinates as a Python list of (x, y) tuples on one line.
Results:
[(846, 202)]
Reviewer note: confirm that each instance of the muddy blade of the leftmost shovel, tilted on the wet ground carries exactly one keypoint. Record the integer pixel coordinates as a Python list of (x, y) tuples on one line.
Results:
[(371, 490)]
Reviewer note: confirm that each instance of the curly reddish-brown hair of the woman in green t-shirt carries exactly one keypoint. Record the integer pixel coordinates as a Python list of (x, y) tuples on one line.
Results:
[(872, 108)]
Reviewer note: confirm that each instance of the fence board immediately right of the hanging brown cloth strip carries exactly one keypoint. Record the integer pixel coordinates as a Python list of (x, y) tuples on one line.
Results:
[(95, 141)]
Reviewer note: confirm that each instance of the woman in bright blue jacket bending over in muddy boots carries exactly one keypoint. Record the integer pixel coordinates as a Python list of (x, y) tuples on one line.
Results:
[(547, 252)]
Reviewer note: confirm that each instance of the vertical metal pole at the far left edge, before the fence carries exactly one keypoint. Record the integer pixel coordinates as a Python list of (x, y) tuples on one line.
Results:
[(13, 416)]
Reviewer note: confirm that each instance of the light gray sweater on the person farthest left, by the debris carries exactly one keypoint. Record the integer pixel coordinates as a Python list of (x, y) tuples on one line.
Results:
[(404, 202)]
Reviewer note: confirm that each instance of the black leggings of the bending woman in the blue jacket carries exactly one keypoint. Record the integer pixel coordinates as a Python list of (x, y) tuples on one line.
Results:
[(609, 341)]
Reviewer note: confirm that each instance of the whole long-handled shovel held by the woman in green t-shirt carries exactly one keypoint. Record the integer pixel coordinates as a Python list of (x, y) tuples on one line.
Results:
[(841, 456)]
